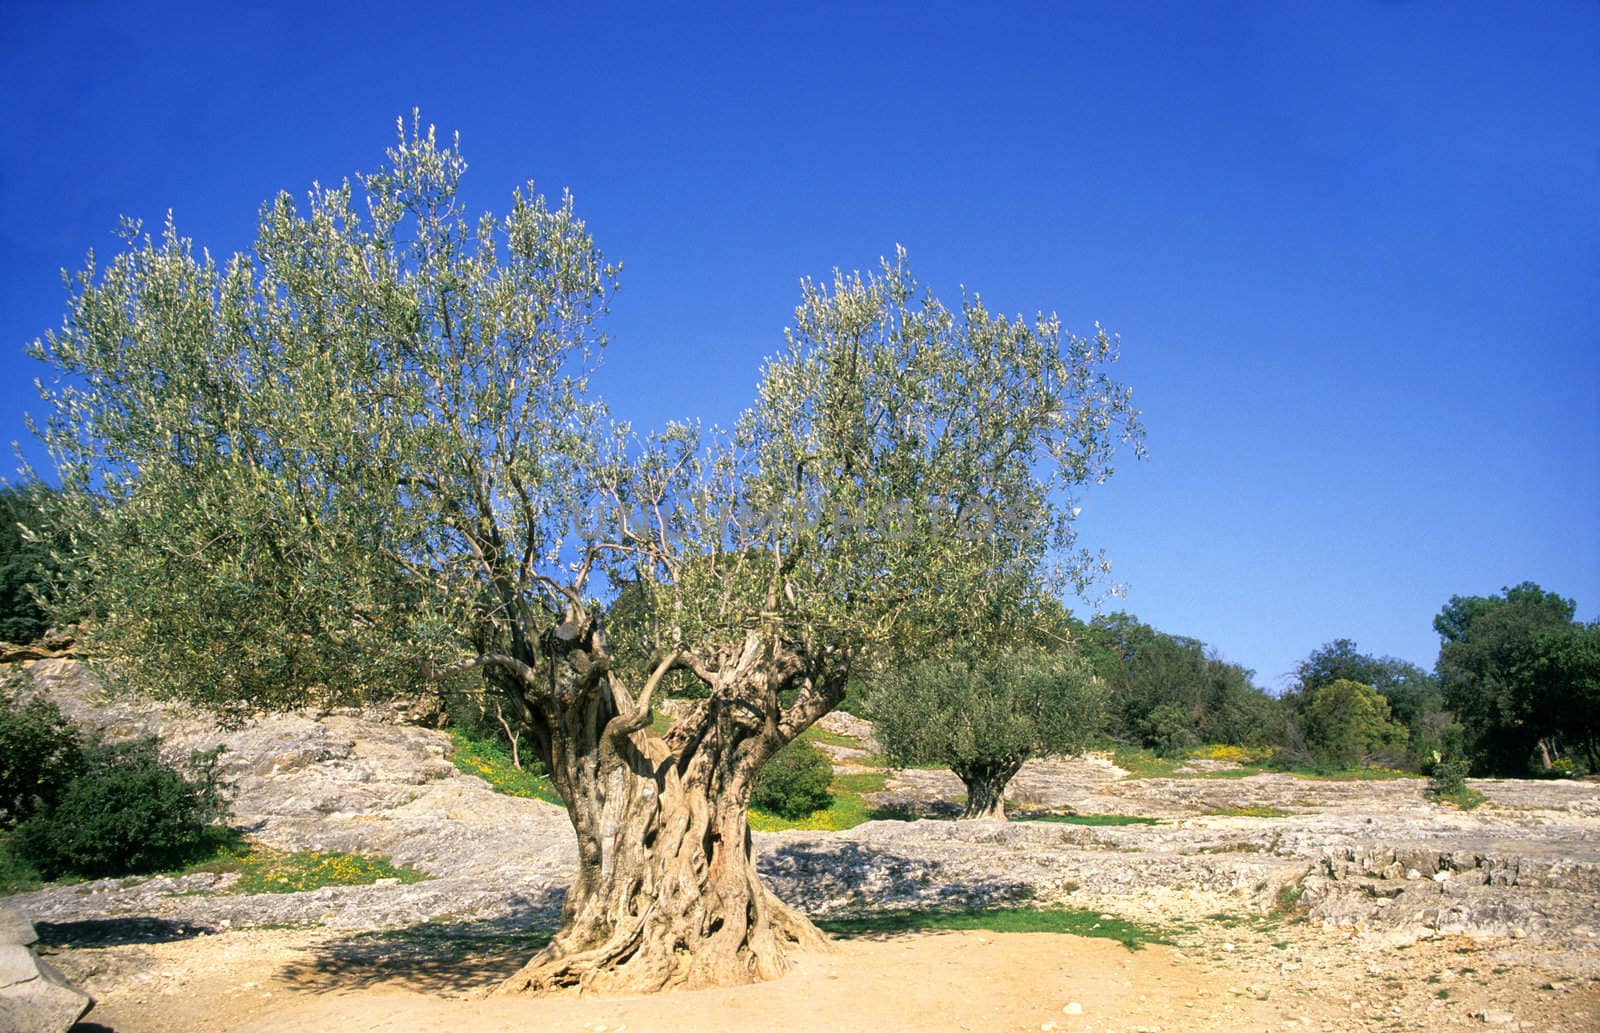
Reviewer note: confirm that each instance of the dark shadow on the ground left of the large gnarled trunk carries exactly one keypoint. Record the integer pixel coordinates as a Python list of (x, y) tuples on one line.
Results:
[(450, 959)]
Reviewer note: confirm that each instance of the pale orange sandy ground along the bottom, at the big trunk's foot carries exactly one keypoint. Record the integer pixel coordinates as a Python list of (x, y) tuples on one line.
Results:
[(298, 981)]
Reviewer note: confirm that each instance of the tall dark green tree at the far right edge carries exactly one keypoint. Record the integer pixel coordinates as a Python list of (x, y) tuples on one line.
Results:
[(1524, 680)]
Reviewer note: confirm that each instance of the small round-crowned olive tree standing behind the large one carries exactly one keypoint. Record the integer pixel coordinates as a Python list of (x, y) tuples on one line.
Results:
[(986, 716)]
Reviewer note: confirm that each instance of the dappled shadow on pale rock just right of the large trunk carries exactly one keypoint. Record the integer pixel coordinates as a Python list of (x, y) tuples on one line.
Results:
[(854, 880)]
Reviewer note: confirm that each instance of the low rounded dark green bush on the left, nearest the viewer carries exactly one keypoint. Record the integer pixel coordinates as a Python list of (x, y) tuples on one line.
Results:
[(126, 813)]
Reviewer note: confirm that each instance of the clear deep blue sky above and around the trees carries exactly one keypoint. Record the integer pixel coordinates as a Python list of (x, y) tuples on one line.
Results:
[(1353, 249)]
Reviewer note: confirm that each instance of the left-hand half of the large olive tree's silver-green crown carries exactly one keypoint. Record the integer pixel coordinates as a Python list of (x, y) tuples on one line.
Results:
[(330, 463)]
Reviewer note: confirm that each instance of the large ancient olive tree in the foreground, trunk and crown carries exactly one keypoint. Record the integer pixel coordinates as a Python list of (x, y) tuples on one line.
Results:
[(367, 460)]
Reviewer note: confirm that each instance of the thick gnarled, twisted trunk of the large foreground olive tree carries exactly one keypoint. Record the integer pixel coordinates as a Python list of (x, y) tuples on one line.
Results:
[(666, 891)]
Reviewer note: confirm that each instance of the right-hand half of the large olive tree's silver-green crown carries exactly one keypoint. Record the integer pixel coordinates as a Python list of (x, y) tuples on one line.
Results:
[(906, 476)]
